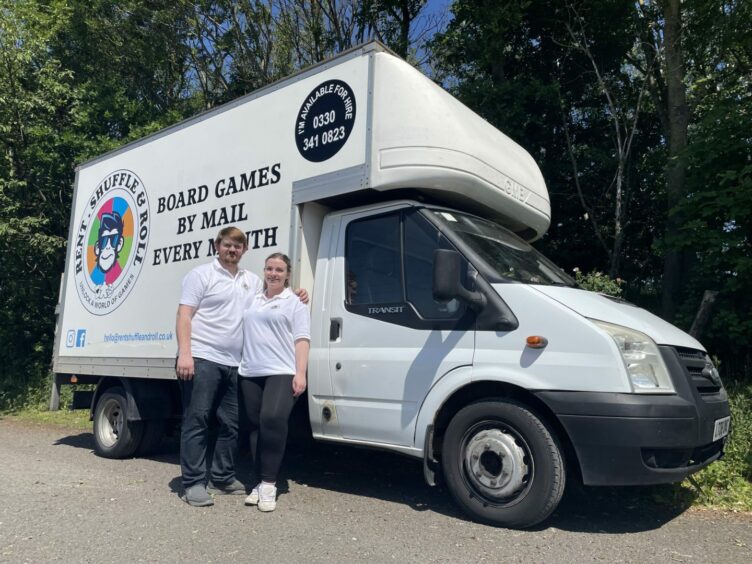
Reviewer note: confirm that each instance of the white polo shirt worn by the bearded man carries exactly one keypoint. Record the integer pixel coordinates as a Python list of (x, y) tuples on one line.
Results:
[(220, 300)]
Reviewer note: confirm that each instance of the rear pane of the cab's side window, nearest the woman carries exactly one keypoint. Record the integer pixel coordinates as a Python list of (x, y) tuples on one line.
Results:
[(372, 259)]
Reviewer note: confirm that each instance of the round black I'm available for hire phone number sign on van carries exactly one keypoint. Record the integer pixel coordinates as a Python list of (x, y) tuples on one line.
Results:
[(325, 120)]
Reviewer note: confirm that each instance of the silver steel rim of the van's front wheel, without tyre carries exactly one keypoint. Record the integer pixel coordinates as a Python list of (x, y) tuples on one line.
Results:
[(496, 463)]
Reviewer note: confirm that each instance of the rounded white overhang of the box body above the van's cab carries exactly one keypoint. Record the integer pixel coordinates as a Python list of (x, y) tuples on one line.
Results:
[(437, 144)]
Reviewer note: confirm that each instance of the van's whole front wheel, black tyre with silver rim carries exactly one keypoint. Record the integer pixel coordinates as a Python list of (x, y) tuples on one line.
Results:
[(502, 464)]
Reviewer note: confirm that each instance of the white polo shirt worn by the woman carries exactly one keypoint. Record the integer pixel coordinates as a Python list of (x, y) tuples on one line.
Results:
[(271, 327)]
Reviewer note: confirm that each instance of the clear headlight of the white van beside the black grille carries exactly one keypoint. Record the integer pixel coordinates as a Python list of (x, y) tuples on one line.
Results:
[(645, 366)]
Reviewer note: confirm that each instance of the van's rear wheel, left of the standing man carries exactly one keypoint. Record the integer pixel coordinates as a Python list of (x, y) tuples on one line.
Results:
[(114, 436)]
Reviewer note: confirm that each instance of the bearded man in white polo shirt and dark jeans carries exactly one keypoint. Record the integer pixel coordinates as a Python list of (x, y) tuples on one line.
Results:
[(210, 340)]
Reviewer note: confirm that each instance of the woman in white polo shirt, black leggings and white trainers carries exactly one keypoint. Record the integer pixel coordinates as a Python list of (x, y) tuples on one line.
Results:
[(276, 340)]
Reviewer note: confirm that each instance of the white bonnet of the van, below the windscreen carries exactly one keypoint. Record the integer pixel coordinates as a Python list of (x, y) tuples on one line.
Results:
[(602, 308)]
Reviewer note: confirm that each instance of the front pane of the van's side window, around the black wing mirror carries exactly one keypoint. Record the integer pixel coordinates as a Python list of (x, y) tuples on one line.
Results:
[(421, 240)]
